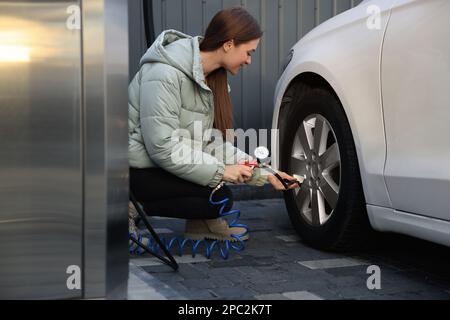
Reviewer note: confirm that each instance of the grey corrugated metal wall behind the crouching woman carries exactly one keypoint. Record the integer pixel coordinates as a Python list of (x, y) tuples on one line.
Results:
[(283, 22)]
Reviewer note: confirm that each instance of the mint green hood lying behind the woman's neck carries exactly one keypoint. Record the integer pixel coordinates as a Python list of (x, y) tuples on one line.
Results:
[(178, 50)]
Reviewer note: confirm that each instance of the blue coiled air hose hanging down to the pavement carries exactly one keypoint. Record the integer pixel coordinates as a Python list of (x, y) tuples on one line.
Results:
[(195, 244)]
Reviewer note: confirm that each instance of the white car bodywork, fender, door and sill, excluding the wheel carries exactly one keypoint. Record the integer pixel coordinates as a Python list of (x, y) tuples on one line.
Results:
[(354, 71)]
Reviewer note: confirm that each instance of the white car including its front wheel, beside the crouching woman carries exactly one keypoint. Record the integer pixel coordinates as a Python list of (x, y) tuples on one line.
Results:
[(363, 113)]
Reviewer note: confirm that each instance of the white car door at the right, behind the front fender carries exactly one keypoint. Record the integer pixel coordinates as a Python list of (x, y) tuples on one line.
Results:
[(415, 73)]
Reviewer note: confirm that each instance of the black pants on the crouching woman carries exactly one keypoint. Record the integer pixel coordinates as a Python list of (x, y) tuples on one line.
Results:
[(164, 194)]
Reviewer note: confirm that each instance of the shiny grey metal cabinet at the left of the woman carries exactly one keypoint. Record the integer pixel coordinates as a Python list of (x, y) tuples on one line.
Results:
[(63, 148)]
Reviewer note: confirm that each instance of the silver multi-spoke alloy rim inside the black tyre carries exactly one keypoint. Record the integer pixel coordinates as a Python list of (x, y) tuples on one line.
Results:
[(315, 156)]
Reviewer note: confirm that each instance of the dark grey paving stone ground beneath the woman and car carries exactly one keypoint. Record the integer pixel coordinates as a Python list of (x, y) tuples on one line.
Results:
[(277, 265)]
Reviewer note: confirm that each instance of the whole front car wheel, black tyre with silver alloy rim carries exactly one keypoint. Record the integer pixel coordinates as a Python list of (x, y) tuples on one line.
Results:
[(328, 211)]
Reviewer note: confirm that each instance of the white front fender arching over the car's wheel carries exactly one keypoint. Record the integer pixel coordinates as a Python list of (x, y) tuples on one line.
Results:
[(348, 35)]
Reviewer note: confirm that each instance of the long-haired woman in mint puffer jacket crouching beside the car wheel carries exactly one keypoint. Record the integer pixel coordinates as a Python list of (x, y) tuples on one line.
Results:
[(182, 85)]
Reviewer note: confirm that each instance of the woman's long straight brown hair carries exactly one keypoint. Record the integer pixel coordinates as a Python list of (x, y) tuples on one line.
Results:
[(229, 24)]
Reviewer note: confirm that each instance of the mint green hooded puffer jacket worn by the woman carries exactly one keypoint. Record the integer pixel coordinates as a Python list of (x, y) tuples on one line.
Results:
[(167, 99)]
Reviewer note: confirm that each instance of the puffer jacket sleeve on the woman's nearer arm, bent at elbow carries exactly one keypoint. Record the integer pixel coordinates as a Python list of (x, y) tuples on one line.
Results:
[(171, 150)]
